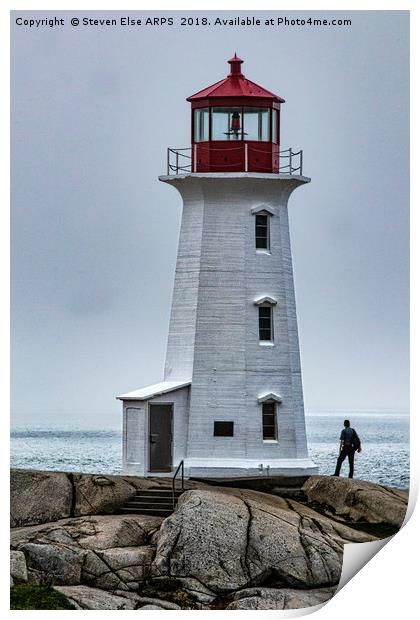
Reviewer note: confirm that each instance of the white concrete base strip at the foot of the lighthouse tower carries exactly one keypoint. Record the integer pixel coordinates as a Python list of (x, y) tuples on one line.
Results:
[(235, 468)]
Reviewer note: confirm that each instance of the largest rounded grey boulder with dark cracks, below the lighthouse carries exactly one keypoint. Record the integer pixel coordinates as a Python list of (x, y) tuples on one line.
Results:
[(229, 539)]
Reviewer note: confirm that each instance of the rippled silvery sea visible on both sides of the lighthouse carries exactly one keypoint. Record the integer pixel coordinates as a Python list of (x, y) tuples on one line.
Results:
[(384, 458)]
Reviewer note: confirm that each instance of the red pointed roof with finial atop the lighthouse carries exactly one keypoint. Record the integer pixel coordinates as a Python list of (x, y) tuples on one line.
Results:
[(235, 85)]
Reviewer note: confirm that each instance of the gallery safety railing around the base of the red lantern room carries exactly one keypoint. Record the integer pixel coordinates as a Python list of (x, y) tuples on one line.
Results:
[(183, 161)]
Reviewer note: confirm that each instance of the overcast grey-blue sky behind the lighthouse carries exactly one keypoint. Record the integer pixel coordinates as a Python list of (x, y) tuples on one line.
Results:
[(94, 233)]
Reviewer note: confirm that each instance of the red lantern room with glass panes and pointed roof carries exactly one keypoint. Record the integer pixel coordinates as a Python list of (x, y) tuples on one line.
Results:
[(235, 126)]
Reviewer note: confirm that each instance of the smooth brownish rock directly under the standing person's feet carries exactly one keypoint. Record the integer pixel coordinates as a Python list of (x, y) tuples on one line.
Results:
[(358, 500)]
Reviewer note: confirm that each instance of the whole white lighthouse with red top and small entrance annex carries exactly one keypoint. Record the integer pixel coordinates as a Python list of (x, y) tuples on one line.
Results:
[(230, 403)]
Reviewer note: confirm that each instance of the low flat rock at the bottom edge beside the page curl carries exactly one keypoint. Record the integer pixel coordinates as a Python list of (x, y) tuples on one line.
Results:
[(273, 598)]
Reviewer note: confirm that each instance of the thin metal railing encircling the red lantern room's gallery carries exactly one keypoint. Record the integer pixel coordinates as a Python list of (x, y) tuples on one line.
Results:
[(184, 161)]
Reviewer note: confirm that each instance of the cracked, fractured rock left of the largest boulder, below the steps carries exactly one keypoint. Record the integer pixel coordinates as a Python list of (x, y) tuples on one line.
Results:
[(109, 552)]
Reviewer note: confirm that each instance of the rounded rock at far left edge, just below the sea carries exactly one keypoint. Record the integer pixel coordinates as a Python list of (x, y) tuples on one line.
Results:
[(38, 497)]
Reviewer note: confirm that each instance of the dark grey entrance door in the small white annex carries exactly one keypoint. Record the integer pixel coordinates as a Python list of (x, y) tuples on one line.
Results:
[(160, 438)]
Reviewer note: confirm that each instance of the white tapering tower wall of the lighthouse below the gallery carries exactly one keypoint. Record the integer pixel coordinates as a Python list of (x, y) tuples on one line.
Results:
[(213, 334)]
